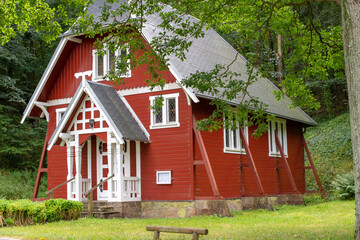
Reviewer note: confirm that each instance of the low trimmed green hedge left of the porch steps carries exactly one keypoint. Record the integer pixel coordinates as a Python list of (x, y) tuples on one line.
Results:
[(20, 212)]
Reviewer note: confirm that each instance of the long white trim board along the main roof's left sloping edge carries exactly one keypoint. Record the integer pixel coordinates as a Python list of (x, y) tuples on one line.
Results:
[(44, 78)]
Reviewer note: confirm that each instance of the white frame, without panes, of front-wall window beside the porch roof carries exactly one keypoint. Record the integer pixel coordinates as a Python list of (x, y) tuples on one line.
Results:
[(165, 123)]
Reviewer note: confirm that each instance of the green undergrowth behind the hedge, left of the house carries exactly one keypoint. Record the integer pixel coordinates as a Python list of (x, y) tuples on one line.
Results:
[(20, 184)]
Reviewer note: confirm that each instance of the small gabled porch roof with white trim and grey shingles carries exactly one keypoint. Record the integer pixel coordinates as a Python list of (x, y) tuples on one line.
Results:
[(118, 114)]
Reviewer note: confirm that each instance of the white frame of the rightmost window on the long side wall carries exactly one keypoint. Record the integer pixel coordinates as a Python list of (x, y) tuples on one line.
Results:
[(282, 135)]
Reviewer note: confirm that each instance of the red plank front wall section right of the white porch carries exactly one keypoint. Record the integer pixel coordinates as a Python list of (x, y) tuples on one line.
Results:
[(169, 150)]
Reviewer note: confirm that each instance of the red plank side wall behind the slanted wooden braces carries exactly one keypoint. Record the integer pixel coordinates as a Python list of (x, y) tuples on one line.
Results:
[(228, 167)]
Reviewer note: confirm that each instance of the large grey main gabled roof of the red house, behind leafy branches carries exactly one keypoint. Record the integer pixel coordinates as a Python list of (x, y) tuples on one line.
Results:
[(202, 56)]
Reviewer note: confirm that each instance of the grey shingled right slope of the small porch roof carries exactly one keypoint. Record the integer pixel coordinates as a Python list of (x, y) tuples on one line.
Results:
[(118, 112)]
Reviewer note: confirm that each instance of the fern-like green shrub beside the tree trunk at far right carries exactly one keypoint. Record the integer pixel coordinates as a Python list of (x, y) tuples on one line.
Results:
[(344, 186)]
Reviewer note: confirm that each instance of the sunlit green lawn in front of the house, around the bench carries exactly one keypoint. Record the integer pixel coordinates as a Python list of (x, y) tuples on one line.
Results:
[(330, 220)]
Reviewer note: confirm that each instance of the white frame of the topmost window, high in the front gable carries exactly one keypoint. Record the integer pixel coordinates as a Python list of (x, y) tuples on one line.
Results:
[(106, 68)]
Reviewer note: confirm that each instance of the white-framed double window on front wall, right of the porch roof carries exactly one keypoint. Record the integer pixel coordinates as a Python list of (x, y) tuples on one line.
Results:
[(168, 114)]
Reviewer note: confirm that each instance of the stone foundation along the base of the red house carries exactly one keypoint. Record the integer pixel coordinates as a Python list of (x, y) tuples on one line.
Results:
[(184, 209)]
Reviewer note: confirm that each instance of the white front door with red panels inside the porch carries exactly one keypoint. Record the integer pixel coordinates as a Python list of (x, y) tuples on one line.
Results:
[(102, 168)]
